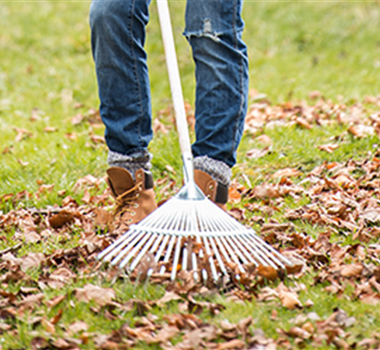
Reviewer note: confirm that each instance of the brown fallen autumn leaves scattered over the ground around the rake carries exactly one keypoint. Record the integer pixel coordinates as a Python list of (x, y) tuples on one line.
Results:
[(49, 262)]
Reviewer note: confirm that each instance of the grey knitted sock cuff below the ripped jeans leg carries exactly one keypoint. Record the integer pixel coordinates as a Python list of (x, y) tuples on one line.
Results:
[(217, 169)]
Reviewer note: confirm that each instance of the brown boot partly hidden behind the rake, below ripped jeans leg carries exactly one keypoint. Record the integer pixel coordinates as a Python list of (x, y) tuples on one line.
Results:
[(212, 189)]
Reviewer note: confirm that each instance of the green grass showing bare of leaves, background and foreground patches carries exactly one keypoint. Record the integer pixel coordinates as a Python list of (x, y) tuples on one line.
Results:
[(294, 47)]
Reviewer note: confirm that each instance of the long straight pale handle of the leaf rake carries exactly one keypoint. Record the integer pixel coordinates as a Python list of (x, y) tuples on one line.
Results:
[(176, 89)]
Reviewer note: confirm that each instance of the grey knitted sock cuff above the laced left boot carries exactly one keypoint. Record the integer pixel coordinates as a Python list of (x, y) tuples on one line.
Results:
[(133, 162)]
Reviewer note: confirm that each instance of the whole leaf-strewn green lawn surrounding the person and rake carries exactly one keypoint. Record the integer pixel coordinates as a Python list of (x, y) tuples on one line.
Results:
[(306, 181)]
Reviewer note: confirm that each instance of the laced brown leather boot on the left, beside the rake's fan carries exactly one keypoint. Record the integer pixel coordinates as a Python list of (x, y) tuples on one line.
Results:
[(134, 199)]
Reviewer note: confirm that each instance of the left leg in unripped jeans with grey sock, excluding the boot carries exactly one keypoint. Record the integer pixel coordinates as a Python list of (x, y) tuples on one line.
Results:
[(117, 38)]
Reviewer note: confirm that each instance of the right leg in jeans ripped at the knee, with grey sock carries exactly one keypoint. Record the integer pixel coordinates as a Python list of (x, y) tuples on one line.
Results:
[(214, 31)]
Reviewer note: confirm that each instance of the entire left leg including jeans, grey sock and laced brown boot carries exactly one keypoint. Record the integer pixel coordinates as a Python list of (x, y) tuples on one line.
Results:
[(117, 38)]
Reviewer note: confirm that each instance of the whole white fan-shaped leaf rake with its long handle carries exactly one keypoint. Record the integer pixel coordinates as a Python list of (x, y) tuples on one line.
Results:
[(189, 231)]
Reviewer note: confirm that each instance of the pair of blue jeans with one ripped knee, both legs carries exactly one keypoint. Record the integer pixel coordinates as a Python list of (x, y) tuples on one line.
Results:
[(213, 29)]
